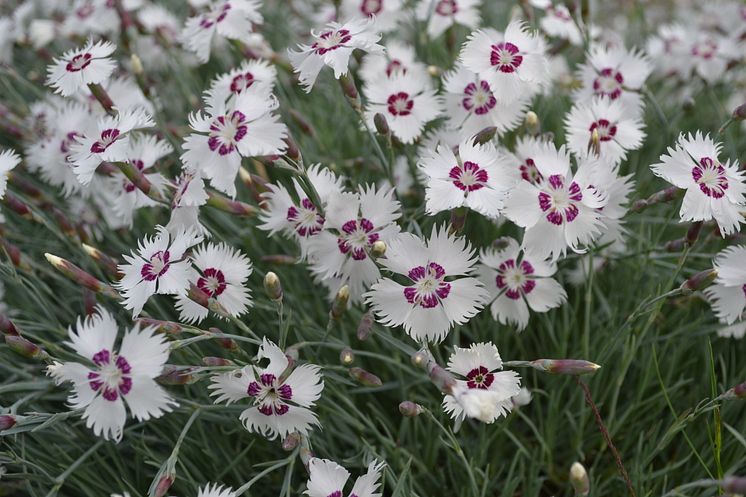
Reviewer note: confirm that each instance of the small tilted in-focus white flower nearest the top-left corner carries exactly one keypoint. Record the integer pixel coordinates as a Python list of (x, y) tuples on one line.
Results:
[(80, 67)]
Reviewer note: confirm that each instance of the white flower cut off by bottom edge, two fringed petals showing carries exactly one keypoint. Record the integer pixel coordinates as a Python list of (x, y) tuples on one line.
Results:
[(328, 478)]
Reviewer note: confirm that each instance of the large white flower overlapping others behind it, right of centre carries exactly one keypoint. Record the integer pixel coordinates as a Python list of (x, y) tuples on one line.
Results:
[(560, 211)]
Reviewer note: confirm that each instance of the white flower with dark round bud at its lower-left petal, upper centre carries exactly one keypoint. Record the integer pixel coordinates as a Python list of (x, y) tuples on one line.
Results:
[(407, 102)]
